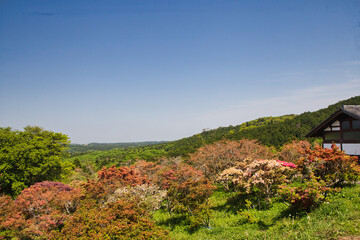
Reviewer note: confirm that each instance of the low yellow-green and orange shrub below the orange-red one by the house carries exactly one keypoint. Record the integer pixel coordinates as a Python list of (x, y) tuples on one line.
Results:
[(308, 196)]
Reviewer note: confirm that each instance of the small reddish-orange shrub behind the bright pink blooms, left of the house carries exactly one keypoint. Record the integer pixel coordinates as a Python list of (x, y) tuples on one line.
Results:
[(293, 151)]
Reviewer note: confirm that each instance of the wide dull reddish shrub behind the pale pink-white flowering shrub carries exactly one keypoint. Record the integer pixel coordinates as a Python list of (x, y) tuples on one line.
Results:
[(214, 158)]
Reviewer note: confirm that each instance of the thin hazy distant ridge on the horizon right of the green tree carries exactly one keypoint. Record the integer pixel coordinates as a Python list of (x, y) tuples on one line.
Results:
[(80, 148)]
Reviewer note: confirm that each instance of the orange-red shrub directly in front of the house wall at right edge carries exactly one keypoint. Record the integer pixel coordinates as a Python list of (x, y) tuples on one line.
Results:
[(331, 165)]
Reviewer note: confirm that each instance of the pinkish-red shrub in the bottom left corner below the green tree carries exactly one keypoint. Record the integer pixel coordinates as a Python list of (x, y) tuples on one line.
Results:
[(39, 209)]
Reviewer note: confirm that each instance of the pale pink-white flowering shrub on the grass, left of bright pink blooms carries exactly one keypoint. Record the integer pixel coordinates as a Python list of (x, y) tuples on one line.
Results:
[(258, 176)]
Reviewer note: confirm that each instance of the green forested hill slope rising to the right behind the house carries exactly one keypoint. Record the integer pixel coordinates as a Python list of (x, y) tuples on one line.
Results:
[(271, 131)]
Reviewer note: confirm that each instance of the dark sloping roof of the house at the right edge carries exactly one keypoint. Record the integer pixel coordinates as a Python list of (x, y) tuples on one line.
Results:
[(350, 110)]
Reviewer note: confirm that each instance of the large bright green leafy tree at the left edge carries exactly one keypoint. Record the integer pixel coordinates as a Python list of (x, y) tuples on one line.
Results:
[(29, 156)]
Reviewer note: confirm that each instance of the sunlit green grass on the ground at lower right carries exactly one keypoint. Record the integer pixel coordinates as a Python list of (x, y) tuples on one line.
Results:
[(339, 216)]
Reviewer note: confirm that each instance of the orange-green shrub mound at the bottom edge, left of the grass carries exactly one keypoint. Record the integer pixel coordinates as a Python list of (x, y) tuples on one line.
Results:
[(118, 220)]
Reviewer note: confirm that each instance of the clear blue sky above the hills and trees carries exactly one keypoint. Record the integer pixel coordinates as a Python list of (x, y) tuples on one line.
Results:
[(129, 70)]
